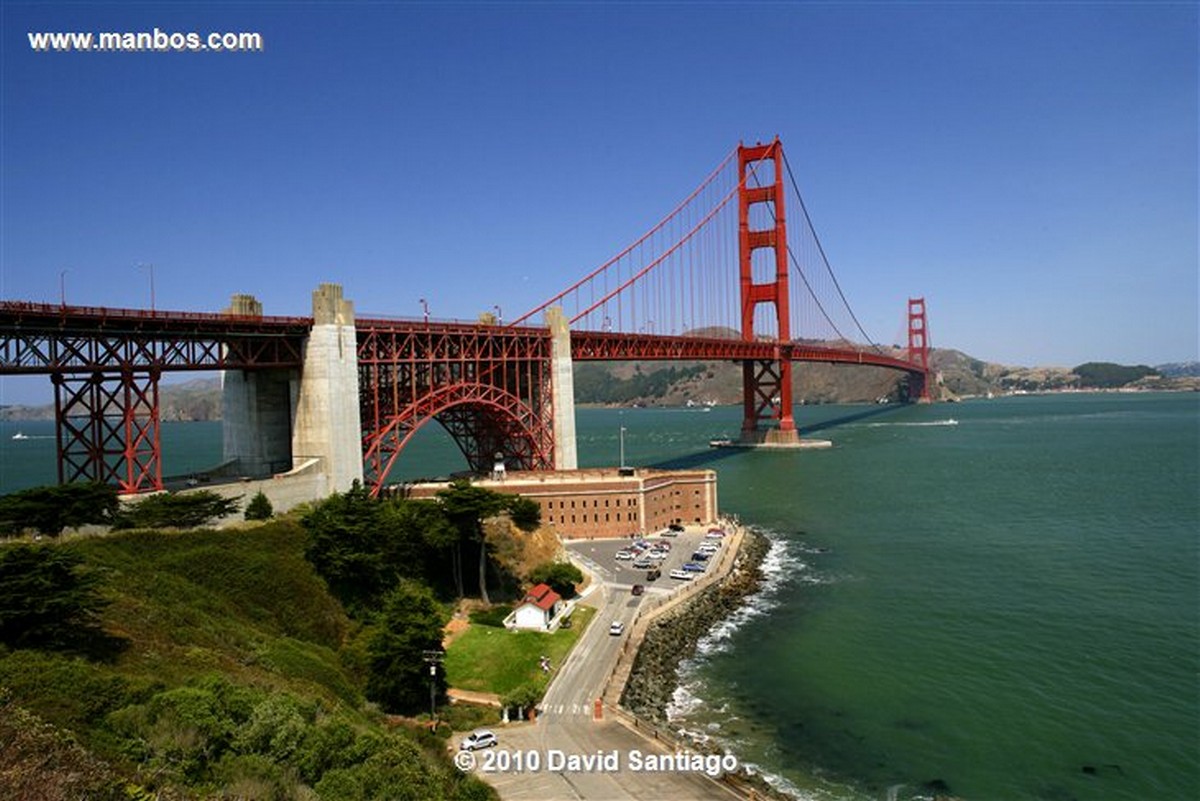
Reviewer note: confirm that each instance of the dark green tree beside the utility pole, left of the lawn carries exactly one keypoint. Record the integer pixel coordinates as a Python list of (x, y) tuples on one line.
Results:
[(410, 625)]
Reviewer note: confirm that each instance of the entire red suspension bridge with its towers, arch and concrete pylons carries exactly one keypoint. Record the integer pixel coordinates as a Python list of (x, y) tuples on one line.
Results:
[(723, 278)]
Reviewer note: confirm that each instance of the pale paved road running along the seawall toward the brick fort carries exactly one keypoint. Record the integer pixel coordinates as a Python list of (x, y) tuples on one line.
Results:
[(567, 724)]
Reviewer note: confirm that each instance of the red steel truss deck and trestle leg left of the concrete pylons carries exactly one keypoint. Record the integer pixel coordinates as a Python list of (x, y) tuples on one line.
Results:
[(106, 365)]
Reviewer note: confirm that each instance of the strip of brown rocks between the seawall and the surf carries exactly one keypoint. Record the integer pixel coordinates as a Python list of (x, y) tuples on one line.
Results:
[(674, 637)]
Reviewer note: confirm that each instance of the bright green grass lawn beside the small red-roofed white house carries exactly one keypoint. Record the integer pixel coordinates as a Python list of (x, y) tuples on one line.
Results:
[(494, 660)]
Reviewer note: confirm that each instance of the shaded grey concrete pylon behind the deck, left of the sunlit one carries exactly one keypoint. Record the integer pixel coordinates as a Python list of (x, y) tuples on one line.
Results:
[(257, 408)]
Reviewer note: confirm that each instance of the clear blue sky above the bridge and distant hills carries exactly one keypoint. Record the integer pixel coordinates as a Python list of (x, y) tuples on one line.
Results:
[(1029, 168)]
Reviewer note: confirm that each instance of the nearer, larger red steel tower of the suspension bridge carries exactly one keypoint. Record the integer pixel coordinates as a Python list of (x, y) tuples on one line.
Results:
[(766, 386)]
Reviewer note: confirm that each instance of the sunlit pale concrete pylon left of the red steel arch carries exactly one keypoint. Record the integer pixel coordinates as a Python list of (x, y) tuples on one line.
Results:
[(327, 421)]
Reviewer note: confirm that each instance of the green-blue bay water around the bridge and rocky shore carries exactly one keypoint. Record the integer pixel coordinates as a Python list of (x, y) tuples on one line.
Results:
[(1009, 605)]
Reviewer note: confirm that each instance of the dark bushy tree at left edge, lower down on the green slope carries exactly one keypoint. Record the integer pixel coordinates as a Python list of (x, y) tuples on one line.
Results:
[(49, 601)]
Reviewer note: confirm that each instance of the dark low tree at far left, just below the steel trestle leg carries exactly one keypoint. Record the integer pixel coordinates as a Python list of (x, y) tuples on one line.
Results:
[(50, 510)]
